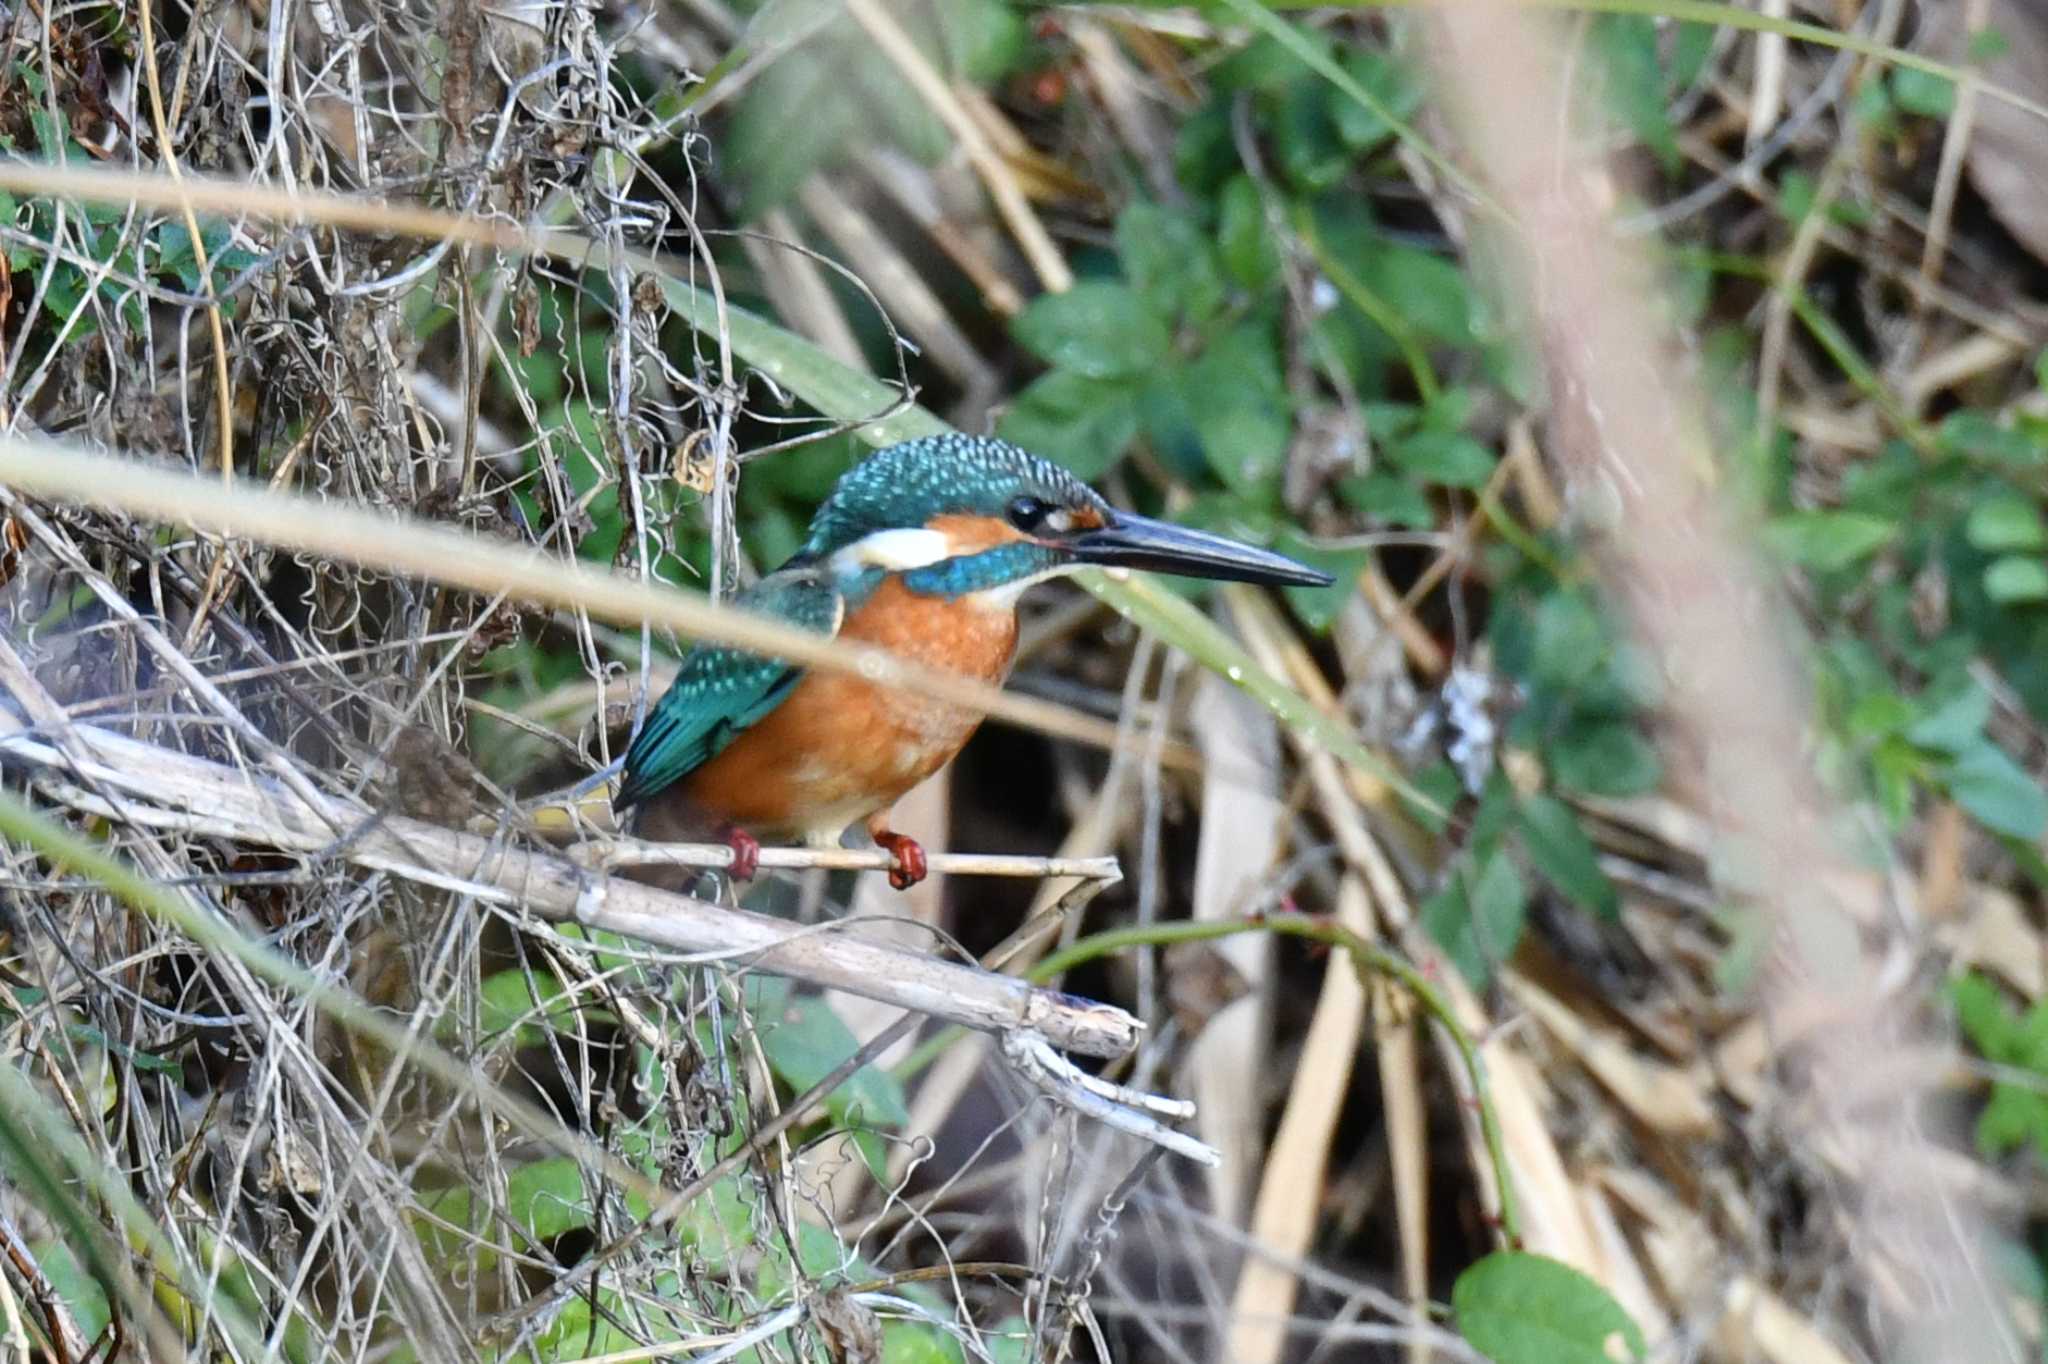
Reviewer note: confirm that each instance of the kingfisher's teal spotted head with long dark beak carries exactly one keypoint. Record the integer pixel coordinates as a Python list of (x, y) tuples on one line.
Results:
[(966, 515)]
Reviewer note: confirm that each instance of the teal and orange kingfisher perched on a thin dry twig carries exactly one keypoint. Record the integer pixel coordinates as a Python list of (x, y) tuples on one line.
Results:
[(923, 550)]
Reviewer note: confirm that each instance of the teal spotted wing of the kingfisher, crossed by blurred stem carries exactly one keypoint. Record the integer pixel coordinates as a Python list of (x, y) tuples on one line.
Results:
[(722, 691)]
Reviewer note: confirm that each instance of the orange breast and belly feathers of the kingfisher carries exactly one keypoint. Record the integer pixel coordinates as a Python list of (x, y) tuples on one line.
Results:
[(843, 749)]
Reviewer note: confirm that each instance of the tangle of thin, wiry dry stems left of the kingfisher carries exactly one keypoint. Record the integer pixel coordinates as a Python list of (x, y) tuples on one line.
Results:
[(312, 1191)]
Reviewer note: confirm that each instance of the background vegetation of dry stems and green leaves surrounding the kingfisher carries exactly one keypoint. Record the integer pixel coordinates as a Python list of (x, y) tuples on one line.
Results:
[(1234, 265)]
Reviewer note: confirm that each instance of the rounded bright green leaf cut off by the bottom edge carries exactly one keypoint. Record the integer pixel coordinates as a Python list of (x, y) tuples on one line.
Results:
[(1529, 1310)]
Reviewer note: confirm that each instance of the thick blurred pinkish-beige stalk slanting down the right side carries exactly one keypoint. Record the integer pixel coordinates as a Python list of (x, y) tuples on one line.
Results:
[(1633, 443)]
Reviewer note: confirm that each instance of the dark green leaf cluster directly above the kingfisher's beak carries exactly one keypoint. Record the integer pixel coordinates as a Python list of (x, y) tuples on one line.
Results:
[(1187, 339)]
